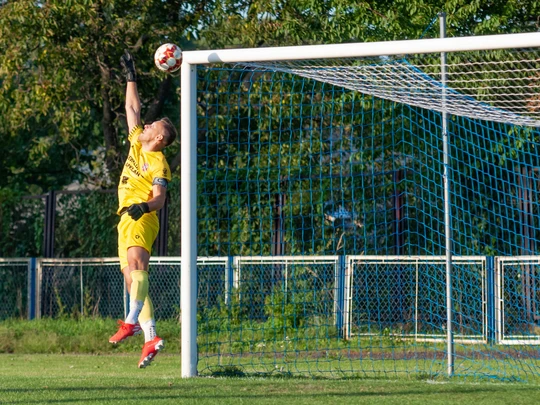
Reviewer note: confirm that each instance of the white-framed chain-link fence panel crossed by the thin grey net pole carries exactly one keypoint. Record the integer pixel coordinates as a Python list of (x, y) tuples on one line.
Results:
[(407, 297)]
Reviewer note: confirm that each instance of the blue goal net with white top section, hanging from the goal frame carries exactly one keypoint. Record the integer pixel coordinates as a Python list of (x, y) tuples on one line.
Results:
[(343, 159)]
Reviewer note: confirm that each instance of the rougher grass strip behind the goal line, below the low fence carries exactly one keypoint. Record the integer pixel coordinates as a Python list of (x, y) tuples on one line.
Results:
[(243, 352)]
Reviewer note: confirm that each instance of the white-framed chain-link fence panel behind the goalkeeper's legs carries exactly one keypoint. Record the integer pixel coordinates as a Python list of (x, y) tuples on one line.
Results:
[(95, 287)]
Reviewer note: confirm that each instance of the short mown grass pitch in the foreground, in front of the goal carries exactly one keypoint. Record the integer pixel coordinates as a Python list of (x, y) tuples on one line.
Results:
[(114, 379)]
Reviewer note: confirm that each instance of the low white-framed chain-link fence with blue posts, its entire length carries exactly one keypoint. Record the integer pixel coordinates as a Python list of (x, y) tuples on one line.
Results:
[(494, 299)]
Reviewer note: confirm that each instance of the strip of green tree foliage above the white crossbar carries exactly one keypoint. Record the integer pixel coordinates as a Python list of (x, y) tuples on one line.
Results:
[(295, 22)]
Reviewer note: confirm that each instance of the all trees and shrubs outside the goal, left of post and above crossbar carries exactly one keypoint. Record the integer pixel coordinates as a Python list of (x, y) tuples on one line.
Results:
[(62, 121)]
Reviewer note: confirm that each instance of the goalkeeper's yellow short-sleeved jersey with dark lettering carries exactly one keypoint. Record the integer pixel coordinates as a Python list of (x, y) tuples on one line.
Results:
[(141, 171)]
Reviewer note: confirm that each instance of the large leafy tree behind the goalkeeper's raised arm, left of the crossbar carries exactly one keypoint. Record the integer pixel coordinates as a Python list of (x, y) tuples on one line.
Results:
[(61, 89)]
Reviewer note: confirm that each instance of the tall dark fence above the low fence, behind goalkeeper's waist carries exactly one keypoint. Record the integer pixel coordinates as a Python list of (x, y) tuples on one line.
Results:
[(49, 225)]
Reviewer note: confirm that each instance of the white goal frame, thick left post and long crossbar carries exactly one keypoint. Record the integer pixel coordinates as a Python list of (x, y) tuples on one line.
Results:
[(189, 138)]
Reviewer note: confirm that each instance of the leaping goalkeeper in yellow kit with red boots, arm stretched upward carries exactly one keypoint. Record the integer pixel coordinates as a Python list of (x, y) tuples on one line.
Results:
[(141, 192)]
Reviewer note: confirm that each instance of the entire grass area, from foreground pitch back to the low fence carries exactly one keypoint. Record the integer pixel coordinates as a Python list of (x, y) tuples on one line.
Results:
[(68, 361)]
